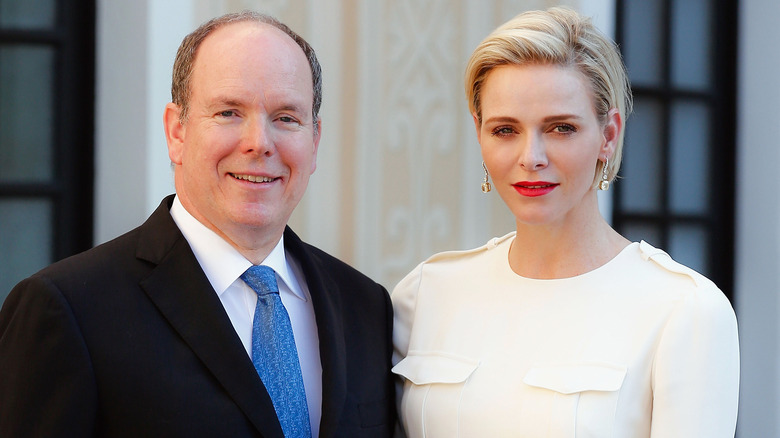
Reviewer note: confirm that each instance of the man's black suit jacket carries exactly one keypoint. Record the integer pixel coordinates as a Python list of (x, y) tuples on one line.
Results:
[(130, 339)]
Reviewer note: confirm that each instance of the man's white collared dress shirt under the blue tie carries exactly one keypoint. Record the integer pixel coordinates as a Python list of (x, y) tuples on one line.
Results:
[(223, 266)]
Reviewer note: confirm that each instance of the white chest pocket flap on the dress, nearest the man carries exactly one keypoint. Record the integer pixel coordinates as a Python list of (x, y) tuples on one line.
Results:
[(422, 368)]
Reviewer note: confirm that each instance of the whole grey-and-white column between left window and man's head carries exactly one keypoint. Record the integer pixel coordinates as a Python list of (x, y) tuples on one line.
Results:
[(136, 44)]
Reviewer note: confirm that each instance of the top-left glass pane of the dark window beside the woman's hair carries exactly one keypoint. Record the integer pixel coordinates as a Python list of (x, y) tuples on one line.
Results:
[(643, 39)]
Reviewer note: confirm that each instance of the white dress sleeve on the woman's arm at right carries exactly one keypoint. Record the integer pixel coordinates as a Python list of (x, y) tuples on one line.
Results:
[(696, 369)]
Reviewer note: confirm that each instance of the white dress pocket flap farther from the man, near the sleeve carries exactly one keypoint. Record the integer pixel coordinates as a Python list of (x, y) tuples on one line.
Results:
[(577, 377)]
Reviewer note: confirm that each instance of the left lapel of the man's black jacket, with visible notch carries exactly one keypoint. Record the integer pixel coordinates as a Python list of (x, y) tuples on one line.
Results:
[(182, 293)]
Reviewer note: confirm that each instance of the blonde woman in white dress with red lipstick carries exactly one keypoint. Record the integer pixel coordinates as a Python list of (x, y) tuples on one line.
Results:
[(562, 328)]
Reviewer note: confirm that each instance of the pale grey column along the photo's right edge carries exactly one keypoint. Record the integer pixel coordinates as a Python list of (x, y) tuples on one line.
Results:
[(758, 219)]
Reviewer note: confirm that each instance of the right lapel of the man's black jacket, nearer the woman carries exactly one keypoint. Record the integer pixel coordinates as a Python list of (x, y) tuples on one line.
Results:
[(327, 311)]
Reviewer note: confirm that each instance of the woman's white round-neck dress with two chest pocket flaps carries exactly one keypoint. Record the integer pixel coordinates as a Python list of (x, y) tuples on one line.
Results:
[(639, 347)]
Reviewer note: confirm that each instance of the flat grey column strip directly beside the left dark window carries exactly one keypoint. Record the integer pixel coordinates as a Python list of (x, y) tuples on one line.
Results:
[(120, 118)]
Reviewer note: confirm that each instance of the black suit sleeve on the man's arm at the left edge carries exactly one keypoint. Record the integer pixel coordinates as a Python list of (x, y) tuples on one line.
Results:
[(47, 387)]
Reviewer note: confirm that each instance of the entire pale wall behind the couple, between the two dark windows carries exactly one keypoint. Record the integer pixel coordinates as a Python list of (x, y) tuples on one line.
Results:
[(399, 170)]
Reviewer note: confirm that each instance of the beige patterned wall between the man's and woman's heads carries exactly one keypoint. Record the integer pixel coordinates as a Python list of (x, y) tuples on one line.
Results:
[(399, 173)]
